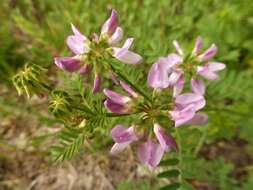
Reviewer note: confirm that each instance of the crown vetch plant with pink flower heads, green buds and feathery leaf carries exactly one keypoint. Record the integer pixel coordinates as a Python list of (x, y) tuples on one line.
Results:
[(168, 95)]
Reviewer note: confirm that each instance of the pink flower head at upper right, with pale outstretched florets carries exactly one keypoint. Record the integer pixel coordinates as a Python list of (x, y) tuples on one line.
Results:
[(169, 71)]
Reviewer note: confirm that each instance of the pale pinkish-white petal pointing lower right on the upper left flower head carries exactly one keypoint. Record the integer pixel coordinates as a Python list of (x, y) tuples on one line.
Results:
[(126, 56)]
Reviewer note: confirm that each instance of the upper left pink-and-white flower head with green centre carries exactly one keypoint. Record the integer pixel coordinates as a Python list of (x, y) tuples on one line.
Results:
[(88, 53)]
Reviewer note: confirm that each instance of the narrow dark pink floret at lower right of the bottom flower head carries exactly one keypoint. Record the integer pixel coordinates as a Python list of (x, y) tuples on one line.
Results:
[(164, 138)]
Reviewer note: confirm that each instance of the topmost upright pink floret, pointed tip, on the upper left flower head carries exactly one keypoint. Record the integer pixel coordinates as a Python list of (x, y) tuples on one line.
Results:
[(110, 25)]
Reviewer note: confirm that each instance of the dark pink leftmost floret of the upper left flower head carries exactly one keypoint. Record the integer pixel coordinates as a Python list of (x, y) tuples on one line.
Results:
[(69, 64)]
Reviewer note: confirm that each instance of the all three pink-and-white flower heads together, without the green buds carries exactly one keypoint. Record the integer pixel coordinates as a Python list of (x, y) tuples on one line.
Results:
[(151, 138)]
